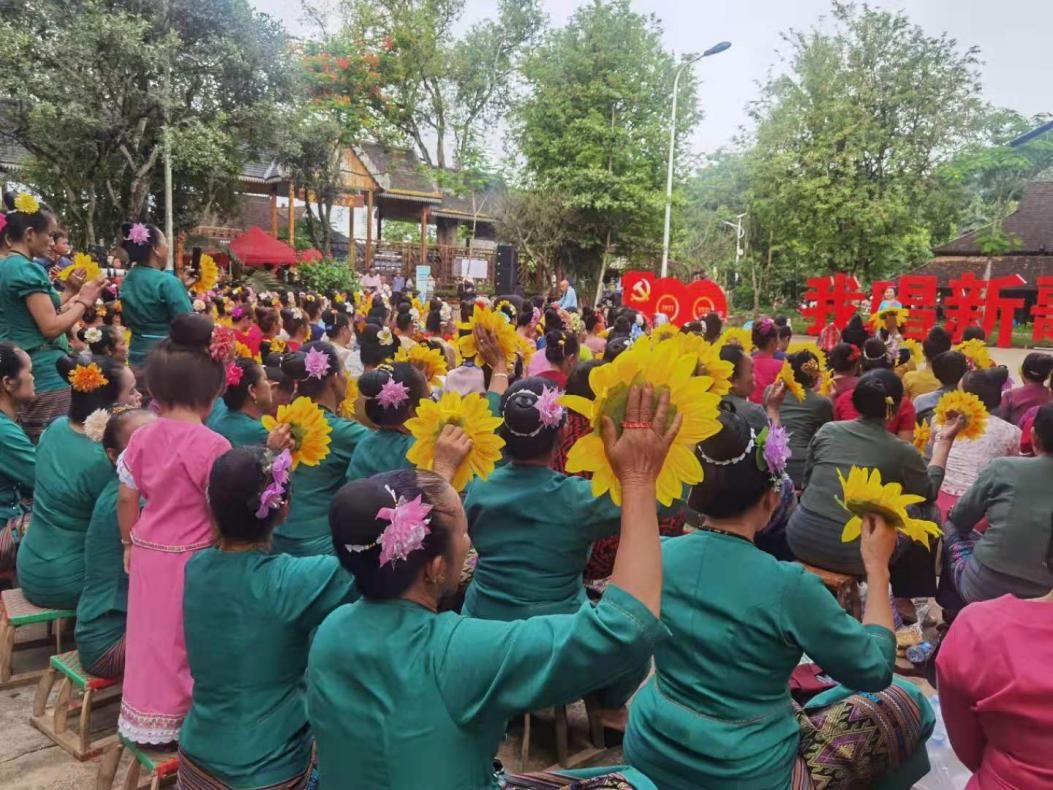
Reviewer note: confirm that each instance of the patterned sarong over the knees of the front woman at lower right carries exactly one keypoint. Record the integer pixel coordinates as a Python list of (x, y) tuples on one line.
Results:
[(859, 741)]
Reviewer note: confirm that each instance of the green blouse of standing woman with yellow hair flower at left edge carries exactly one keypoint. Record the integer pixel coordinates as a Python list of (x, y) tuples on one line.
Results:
[(21, 279)]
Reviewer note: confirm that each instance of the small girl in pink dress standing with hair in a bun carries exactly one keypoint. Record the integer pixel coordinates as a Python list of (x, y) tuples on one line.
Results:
[(167, 464)]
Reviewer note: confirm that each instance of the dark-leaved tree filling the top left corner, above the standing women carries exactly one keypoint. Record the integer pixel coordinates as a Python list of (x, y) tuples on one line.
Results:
[(90, 87)]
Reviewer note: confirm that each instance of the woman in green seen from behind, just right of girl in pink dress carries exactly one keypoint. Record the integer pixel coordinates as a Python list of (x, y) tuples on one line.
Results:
[(248, 725)]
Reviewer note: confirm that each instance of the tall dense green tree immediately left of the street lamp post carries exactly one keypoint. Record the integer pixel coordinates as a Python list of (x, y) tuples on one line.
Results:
[(595, 131)]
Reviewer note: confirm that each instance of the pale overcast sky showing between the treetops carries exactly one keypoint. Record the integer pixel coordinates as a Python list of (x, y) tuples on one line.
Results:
[(1014, 37)]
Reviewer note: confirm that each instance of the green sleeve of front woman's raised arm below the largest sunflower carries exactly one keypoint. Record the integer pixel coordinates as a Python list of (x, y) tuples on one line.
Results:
[(491, 671)]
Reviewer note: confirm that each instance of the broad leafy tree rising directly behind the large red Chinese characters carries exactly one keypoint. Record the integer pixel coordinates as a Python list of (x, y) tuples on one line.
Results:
[(849, 142)]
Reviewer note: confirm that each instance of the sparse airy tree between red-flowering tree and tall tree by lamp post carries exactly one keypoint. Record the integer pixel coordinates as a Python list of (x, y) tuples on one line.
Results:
[(444, 91)]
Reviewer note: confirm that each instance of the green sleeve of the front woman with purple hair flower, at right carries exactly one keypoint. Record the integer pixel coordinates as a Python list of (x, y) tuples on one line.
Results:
[(862, 658)]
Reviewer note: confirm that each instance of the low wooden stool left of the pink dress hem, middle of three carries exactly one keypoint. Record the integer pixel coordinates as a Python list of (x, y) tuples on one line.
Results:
[(55, 722)]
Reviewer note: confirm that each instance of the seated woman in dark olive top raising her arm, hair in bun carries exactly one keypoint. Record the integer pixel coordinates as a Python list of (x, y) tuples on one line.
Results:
[(816, 528)]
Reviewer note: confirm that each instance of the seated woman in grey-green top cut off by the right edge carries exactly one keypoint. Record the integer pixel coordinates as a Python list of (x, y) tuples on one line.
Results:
[(1017, 498)]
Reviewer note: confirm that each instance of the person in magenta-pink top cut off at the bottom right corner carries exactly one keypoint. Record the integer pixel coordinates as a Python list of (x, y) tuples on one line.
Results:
[(996, 688)]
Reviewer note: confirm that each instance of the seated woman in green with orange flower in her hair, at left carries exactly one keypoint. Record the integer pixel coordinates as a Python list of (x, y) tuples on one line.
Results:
[(72, 472)]
